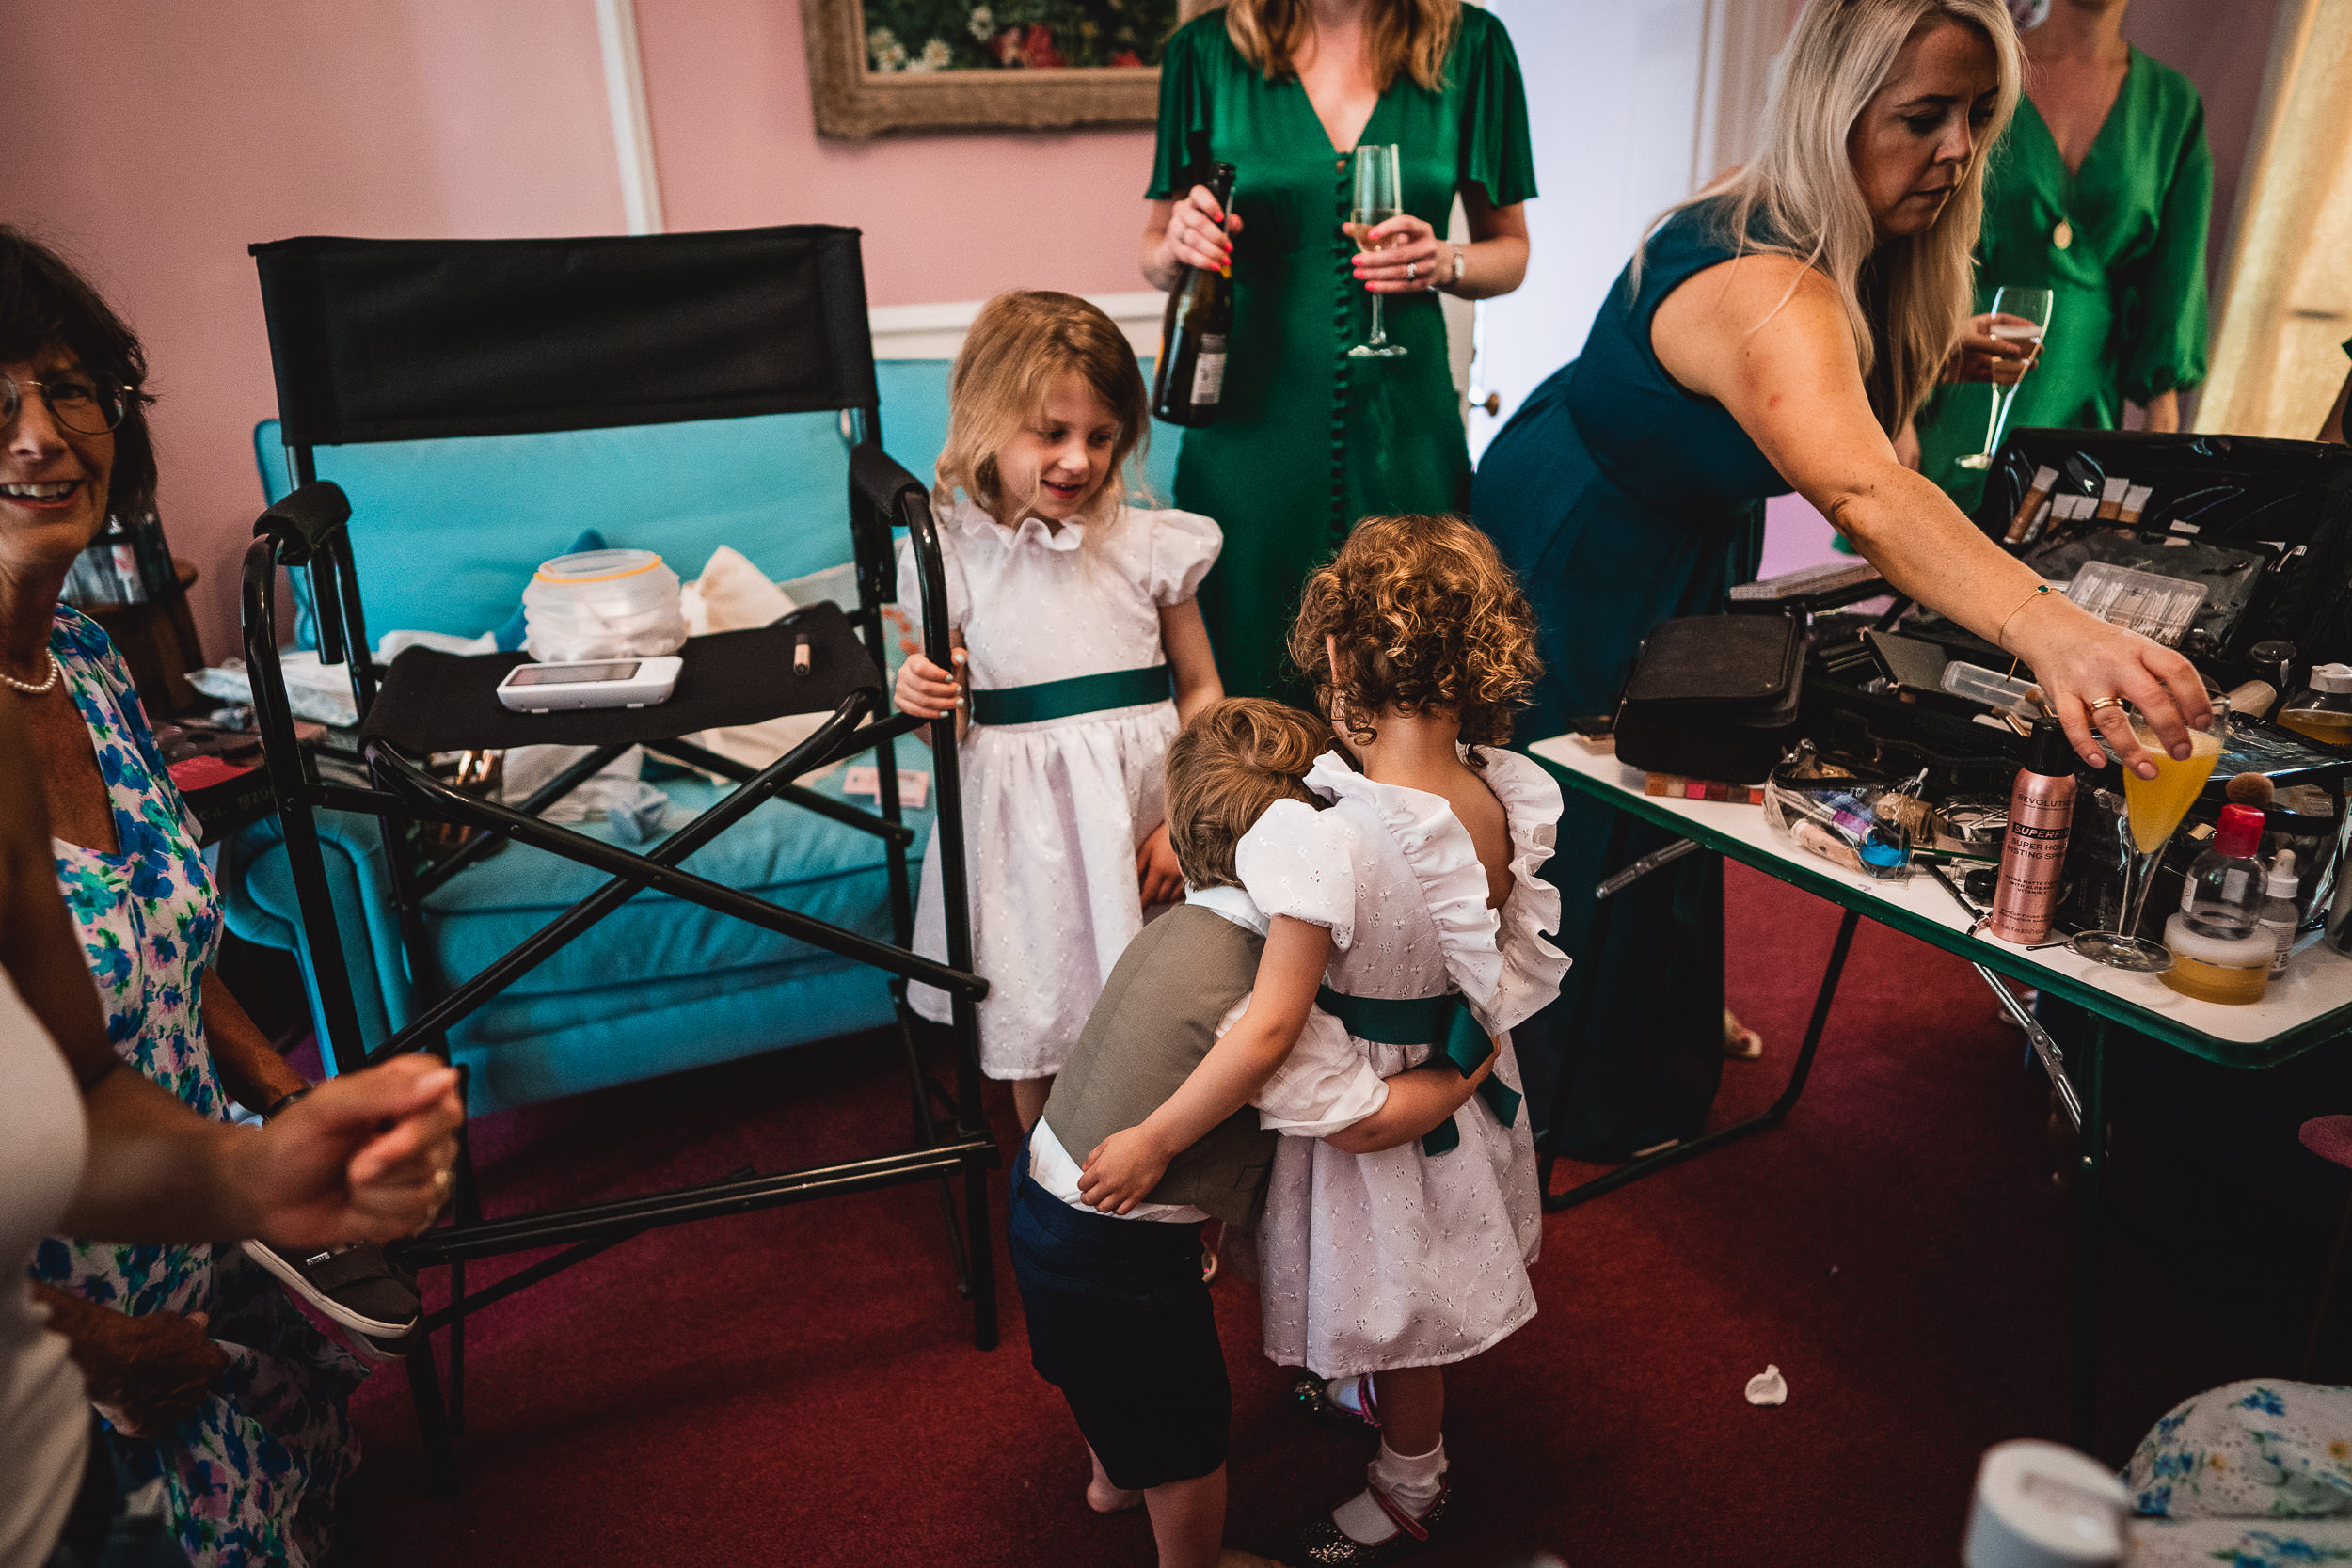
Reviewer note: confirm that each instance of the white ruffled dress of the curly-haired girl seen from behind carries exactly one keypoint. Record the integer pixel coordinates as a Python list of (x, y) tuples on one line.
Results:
[(1408, 1259)]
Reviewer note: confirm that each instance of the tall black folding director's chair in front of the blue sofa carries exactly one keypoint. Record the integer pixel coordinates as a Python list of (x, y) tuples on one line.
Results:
[(422, 340)]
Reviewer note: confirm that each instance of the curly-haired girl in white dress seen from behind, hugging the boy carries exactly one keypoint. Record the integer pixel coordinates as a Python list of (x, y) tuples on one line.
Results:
[(1384, 1268)]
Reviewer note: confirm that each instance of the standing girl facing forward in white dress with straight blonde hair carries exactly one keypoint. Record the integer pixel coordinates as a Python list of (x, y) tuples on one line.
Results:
[(1074, 622)]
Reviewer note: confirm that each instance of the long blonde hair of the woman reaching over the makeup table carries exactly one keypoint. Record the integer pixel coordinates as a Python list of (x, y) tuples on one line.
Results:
[(1904, 297)]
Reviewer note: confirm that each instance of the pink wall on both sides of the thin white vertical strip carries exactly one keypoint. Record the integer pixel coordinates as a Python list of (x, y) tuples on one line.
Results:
[(154, 142)]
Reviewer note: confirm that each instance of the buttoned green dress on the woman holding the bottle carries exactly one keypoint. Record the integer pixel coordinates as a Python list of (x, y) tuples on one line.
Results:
[(1307, 438)]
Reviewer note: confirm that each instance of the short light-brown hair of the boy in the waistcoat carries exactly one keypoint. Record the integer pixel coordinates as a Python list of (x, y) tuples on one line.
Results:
[(1231, 763)]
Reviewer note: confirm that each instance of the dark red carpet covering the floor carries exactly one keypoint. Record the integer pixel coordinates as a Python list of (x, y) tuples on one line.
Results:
[(799, 1386)]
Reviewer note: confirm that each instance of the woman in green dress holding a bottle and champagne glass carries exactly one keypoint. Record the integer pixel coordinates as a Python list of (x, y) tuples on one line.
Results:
[(1307, 438)]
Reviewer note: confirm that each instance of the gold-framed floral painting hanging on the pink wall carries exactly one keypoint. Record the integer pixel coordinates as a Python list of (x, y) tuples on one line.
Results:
[(987, 65)]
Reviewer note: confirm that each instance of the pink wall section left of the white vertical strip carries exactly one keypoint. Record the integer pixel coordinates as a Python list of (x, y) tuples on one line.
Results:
[(154, 142)]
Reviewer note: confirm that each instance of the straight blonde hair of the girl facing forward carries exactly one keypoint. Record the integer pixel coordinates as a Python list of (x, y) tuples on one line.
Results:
[(1017, 349)]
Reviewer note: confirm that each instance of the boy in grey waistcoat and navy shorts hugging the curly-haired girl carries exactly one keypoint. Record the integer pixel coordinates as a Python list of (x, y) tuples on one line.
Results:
[(1118, 1311)]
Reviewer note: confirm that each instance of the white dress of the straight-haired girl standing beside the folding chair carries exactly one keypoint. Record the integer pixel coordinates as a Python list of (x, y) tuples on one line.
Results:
[(1055, 810)]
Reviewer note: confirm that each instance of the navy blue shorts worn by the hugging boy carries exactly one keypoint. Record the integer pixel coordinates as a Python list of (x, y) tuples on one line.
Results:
[(1121, 1325)]
